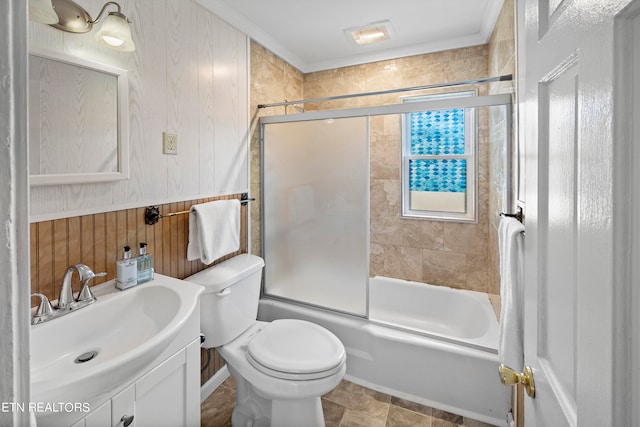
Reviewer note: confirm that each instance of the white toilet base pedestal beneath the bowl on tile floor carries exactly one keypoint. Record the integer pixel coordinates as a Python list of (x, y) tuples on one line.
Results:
[(254, 410)]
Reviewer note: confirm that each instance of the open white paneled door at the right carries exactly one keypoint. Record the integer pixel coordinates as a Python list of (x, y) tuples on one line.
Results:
[(566, 54)]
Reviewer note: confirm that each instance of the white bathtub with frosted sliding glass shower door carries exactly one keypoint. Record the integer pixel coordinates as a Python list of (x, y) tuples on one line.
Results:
[(430, 344)]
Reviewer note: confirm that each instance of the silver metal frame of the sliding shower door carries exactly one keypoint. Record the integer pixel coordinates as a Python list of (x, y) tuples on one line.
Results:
[(435, 104)]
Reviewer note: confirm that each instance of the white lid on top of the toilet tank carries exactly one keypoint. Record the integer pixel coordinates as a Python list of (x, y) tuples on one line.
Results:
[(225, 274)]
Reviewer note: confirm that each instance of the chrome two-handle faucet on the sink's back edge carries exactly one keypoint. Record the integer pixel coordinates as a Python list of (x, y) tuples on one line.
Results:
[(66, 301)]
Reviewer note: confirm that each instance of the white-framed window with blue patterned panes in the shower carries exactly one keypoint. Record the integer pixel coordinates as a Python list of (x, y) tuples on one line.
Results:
[(439, 162)]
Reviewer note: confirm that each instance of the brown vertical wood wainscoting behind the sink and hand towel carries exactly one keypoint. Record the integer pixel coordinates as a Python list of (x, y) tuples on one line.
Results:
[(97, 241)]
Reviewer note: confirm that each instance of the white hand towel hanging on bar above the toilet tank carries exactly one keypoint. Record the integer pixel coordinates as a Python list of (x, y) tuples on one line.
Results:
[(214, 230)]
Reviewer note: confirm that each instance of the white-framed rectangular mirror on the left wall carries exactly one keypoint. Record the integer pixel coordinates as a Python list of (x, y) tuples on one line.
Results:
[(78, 120)]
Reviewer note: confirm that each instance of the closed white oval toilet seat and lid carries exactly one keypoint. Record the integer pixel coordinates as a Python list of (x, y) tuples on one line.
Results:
[(295, 350)]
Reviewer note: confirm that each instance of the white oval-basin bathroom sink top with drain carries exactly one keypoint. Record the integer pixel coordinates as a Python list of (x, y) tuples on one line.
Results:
[(127, 330)]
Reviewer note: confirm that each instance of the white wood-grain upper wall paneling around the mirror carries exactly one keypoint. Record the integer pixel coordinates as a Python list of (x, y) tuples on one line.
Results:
[(188, 76)]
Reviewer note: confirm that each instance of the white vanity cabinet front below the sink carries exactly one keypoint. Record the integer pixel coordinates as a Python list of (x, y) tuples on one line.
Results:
[(167, 395)]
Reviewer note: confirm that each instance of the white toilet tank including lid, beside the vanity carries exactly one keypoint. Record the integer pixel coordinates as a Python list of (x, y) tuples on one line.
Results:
[(229, 304)]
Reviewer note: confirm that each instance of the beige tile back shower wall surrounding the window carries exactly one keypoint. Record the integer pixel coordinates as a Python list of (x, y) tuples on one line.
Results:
[(441, 253)]
